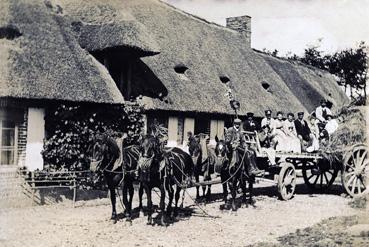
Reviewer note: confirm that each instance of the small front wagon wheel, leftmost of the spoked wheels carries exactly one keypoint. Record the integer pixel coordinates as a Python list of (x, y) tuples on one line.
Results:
[(286, 181)]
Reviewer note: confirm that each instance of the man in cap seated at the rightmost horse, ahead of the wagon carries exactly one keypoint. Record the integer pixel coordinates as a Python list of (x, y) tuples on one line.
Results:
[(235, 139)]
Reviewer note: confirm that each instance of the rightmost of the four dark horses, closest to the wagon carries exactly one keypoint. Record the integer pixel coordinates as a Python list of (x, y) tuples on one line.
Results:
[(235, 175)]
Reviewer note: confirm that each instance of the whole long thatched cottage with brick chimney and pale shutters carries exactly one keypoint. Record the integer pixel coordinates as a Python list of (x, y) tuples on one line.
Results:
[(180, 66)]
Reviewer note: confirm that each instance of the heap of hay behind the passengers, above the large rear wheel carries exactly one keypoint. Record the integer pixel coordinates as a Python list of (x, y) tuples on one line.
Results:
[(351, 131)]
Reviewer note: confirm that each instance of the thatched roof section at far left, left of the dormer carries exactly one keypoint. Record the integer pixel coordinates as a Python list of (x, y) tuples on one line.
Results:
[(41, 59)]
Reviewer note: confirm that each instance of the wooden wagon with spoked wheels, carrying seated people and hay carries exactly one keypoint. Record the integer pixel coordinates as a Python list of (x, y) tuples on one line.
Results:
[(318, 171)]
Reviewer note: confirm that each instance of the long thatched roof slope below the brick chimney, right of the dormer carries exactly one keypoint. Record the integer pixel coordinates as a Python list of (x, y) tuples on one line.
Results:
[(210, 51)]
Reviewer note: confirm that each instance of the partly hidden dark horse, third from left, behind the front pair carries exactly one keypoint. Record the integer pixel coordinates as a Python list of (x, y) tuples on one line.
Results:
[(203, 160)]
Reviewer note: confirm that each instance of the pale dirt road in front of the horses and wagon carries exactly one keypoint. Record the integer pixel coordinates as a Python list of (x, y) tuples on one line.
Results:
[(88, 224)]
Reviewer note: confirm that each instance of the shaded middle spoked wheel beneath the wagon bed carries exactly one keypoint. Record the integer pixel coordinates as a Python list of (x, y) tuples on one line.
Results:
[(318, 176)]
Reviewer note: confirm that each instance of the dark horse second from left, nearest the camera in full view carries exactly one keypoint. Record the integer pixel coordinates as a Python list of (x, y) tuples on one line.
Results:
[(163, 168)]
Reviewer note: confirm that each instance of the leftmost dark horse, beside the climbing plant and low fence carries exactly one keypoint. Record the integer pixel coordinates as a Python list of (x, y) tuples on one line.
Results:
[(118, 165)]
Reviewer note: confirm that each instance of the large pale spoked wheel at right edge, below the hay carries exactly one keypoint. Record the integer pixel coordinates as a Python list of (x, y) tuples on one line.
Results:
[(355, 171)]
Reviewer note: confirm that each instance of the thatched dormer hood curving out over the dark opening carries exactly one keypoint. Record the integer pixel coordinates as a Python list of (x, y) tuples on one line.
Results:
[(105, 24)]
